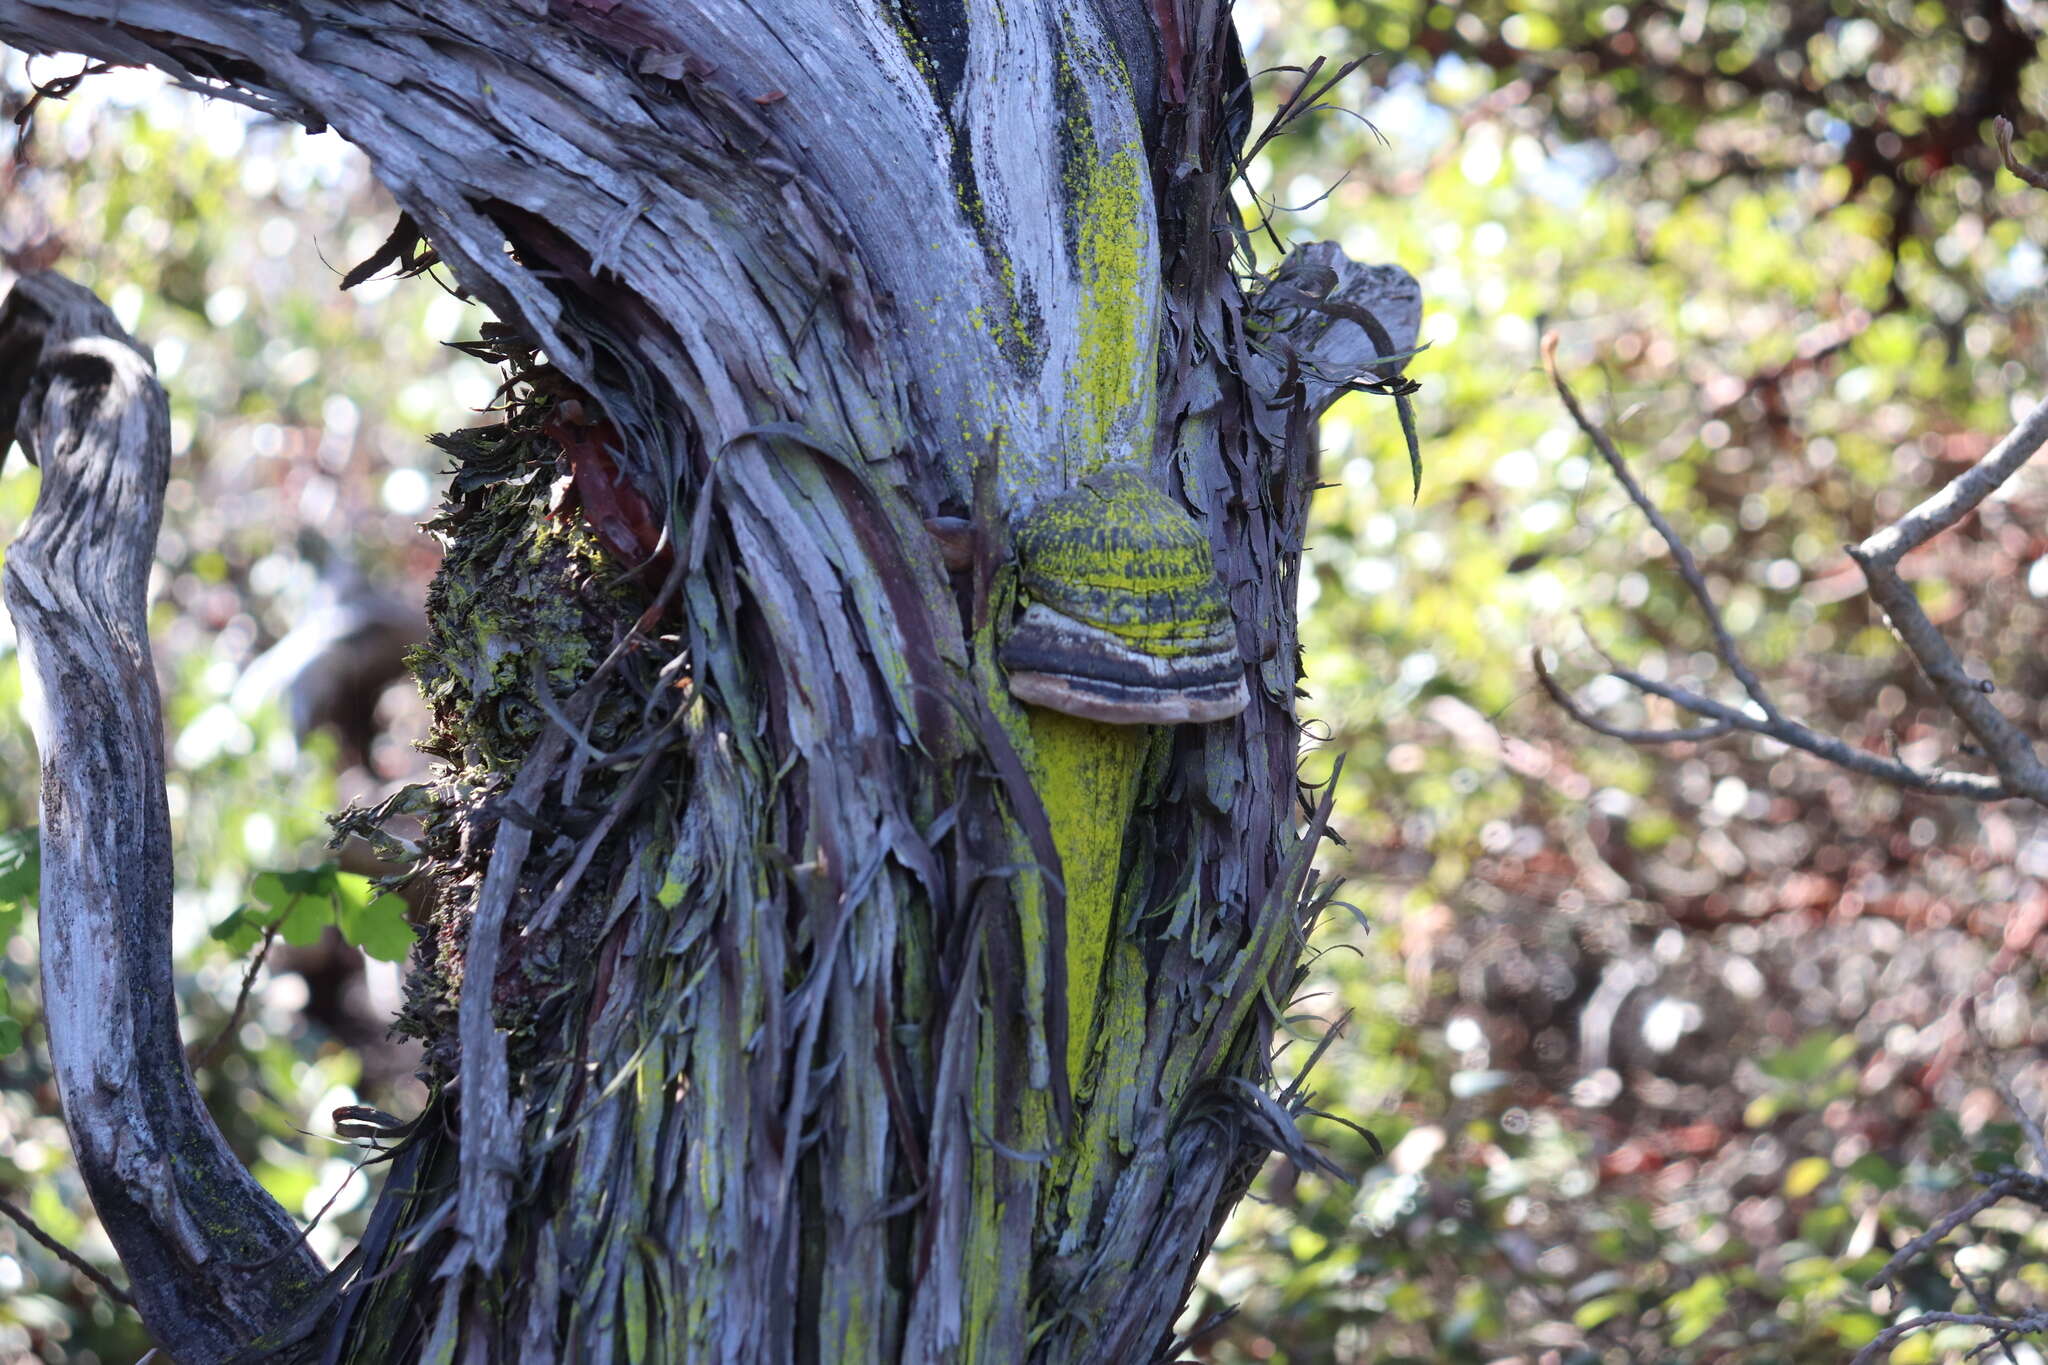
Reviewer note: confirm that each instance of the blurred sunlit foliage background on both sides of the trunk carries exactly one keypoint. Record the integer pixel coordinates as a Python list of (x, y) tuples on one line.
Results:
[(1666, 1047)]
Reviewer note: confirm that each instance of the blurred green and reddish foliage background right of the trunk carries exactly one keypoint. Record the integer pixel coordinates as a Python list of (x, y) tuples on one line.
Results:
[(1664, 1045)]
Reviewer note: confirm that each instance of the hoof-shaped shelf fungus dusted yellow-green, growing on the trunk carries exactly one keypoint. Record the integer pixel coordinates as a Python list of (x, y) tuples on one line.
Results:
[(1123, 615)]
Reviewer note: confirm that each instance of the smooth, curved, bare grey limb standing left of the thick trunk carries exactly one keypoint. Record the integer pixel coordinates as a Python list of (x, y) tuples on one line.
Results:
[(214, 1260)]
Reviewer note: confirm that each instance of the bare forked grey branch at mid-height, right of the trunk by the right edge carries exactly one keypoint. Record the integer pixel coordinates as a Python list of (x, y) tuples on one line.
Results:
[(2018, 768)]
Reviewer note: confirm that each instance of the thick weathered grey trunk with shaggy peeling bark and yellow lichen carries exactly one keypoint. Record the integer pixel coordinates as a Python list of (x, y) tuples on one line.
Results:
[(763, 1022)]
